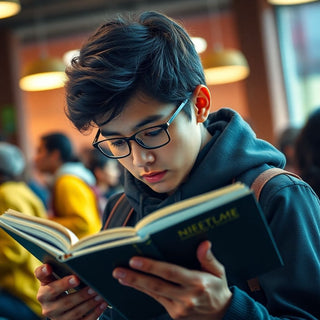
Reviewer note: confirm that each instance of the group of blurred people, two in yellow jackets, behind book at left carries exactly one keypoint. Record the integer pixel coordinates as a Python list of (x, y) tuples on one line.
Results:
[(66, 187)]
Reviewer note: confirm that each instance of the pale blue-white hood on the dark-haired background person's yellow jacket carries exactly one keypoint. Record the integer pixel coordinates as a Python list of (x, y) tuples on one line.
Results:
[(76, 169)]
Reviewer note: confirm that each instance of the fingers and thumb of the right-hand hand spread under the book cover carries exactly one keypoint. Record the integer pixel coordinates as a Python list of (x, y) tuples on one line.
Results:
[(151, 280)]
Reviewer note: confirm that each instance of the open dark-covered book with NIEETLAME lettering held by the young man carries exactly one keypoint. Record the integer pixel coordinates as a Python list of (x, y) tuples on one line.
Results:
[(229, 217)]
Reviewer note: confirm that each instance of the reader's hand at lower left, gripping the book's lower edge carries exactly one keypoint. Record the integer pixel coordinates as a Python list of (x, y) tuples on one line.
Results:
[(57, 304)]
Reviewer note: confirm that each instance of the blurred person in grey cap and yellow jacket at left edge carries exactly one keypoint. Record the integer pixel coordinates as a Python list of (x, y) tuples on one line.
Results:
[(18, 285)]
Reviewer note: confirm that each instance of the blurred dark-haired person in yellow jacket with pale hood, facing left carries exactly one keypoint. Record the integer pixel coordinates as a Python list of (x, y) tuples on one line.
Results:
[(74, 203)]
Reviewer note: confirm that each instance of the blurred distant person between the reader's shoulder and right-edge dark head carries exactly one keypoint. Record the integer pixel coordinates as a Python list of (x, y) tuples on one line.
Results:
[(286, 144)]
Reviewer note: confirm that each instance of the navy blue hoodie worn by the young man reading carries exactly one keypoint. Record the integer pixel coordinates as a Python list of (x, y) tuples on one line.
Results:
[(290, 205)]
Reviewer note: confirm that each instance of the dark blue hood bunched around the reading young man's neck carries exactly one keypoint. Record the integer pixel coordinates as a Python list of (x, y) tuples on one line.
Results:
[(233, 150)]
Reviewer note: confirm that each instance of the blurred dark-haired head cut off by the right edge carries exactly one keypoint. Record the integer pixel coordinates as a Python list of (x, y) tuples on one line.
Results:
[(307, 151)]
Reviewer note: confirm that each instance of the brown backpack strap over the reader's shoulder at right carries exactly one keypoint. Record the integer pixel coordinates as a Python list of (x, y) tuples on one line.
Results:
[(257, 186)]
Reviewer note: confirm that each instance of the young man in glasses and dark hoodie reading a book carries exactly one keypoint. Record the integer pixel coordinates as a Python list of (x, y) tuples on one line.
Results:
[(141, 82)]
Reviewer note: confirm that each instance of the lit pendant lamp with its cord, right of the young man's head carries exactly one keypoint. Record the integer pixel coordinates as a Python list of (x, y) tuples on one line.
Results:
[(223, 65)]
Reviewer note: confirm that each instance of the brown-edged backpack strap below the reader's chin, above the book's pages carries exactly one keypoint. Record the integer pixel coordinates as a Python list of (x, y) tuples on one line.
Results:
[(120, 213)]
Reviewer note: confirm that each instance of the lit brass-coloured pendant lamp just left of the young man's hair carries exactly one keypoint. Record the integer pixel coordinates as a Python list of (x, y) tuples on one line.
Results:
[(43, 74)]
